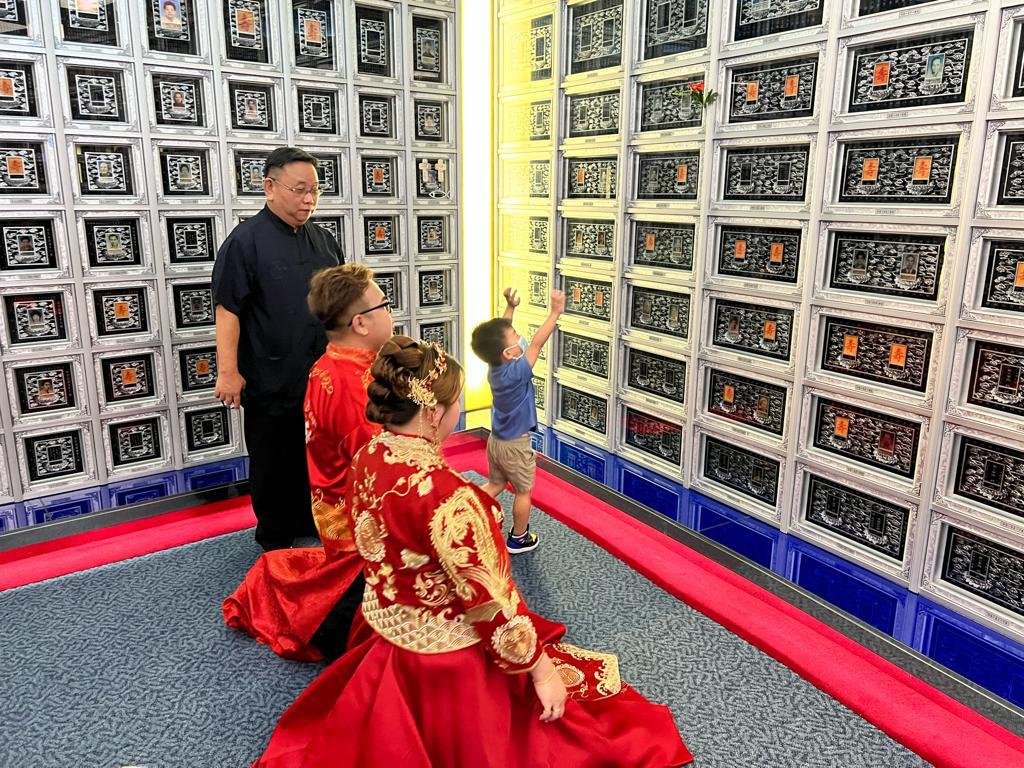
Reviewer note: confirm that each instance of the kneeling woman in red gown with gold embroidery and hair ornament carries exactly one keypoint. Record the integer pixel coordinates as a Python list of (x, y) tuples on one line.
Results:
[(448, 667)]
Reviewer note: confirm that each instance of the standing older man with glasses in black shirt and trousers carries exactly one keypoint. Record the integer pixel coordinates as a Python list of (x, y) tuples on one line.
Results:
[(268, 340)]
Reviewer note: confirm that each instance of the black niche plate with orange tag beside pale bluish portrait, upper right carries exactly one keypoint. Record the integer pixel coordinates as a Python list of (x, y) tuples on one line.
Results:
[(921, 71)]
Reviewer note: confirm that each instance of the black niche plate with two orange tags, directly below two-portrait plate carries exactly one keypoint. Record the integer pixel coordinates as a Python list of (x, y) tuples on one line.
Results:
[(872, 355)]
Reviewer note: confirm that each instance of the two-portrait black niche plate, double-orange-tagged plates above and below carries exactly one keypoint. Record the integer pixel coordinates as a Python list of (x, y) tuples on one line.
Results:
[(904, 266)]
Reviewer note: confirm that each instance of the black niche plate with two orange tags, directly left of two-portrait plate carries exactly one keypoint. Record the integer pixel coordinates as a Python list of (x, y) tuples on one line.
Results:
[(760, 252)]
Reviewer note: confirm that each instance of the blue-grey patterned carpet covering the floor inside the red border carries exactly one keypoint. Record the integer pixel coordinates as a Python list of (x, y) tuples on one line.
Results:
[(131, 665)]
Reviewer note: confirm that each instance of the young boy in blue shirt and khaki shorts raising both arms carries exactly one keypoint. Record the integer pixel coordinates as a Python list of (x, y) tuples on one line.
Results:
[(510, 455)]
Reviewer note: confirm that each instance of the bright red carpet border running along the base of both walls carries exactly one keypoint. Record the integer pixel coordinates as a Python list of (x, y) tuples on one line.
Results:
[(925, 720)]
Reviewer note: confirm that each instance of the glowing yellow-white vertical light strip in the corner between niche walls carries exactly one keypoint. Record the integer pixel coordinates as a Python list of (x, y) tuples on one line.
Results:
[(477, 100)]
